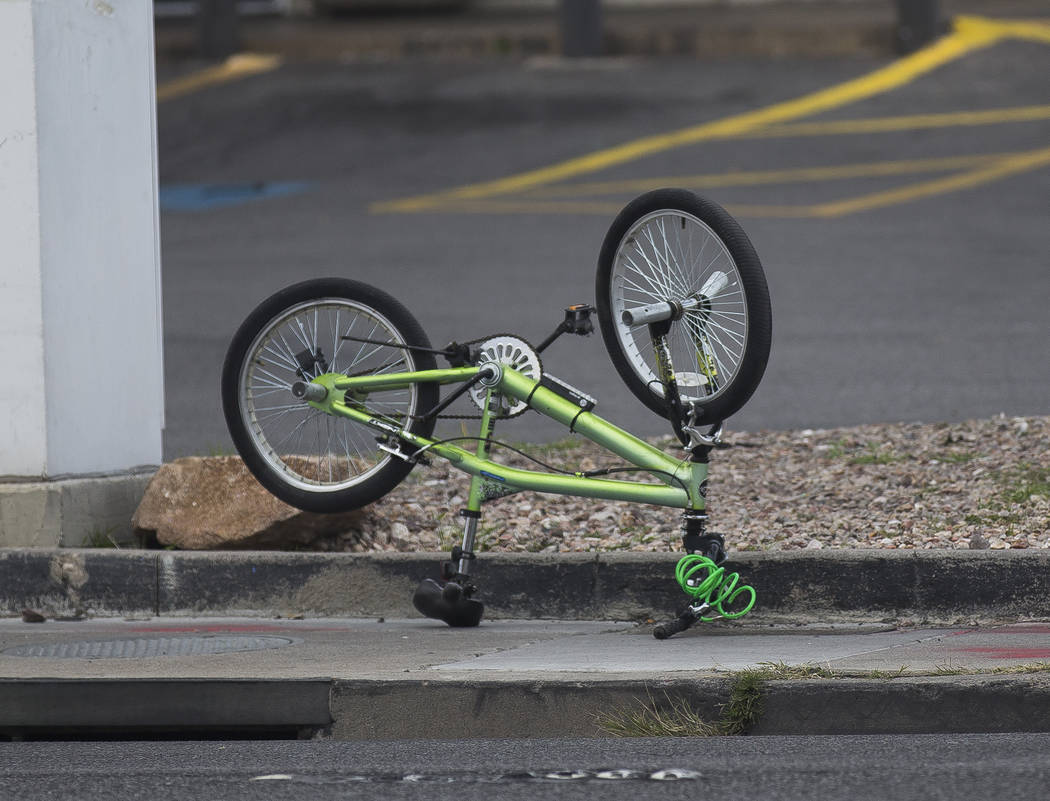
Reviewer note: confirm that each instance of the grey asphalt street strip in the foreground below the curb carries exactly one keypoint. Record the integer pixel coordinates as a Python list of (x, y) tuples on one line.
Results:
[(870, 768)]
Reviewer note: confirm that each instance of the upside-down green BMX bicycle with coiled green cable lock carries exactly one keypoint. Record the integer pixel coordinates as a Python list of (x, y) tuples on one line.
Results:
[(331, 391)]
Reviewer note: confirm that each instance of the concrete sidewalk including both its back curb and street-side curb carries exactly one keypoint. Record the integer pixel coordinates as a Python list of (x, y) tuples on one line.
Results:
[(209, 643)]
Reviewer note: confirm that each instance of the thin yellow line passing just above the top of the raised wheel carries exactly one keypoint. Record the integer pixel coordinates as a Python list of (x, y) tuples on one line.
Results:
[(767, 178)]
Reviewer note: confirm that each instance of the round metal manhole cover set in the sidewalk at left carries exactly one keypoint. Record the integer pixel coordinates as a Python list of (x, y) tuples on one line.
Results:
[(145, 648)]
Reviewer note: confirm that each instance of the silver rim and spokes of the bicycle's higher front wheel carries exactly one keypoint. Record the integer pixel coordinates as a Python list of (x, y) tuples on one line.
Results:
[(671, 256)]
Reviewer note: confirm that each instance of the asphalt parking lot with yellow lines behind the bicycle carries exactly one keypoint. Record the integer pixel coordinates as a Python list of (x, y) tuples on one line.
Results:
[(894, 204)]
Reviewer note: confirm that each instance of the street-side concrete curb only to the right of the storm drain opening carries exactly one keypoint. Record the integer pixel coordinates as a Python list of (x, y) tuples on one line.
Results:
[(925, 705)]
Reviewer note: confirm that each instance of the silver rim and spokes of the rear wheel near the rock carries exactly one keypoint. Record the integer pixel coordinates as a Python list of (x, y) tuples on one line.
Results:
[(313, 451)]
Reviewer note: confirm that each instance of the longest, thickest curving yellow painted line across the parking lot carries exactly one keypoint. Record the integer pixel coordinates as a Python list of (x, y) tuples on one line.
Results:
[(975, 34)]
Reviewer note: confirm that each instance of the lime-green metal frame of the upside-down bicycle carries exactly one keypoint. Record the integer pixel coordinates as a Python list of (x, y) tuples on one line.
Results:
[(683, 481)]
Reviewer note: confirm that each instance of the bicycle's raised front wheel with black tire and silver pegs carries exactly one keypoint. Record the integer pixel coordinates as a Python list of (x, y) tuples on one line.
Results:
[(668, 245)]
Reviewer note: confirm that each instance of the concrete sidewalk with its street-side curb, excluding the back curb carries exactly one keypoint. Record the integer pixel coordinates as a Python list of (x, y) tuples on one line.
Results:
[(380, 680)]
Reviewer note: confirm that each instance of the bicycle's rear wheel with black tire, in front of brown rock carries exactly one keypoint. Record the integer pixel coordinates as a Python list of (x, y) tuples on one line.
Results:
[(307, 458)]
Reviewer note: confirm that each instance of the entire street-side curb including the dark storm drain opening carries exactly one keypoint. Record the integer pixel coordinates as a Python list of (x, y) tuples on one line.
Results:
[(375, 710)]
